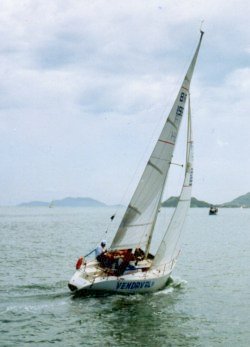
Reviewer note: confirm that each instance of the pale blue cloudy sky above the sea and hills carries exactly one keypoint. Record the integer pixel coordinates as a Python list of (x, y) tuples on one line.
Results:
[(85, 88)]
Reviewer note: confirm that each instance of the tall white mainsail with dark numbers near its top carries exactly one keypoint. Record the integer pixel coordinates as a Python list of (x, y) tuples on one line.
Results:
[(138, 223)]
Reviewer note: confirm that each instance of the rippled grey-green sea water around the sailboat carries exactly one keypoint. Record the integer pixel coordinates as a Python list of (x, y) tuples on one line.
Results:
[(206, 304)]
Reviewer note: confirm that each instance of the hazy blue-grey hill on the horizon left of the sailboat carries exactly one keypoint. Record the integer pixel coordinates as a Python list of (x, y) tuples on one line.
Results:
[(67, 202)]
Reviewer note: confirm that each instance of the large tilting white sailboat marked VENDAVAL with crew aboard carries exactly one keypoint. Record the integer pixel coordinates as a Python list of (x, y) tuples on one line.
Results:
[(129, 266)]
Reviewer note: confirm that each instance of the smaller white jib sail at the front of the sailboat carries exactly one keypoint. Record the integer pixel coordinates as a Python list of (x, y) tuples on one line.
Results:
[(170, 245)]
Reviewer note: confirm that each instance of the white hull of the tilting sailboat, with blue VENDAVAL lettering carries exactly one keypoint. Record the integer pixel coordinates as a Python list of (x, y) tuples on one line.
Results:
[(92, 279)]
